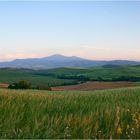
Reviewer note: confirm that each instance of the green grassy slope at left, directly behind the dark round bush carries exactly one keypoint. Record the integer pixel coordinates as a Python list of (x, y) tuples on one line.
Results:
[(15, 75)]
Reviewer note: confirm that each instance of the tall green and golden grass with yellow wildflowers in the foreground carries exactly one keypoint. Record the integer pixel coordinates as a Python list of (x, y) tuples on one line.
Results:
[(44, 114)]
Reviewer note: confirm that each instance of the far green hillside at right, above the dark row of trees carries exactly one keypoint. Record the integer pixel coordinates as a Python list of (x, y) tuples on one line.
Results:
[(103, 72)]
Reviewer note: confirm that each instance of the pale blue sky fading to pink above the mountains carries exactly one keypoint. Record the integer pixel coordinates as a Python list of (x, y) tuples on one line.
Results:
[(95, 30)]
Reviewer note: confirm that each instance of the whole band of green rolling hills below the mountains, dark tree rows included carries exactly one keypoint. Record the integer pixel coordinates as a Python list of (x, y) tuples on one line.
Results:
[(68, 76)]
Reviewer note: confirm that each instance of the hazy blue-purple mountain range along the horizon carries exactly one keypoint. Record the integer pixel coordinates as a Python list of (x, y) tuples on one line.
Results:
[(56, 61)]
